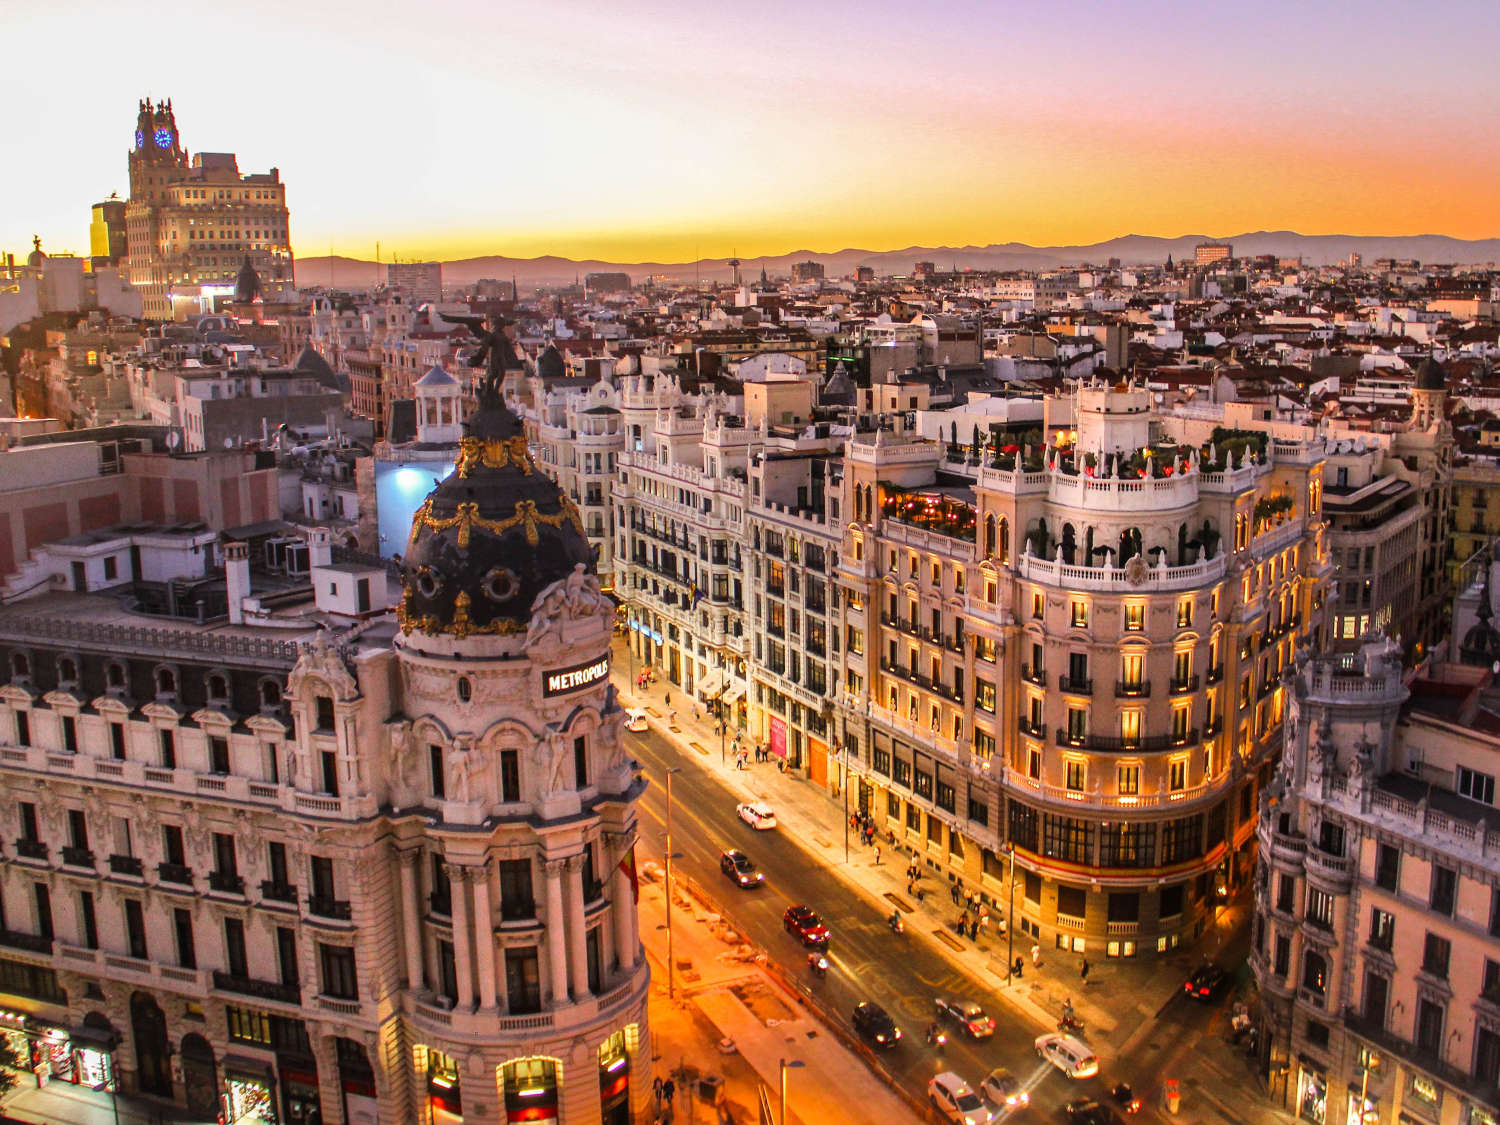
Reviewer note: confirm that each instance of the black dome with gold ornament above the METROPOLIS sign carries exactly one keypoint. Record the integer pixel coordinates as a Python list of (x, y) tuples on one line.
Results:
[(490, 538)]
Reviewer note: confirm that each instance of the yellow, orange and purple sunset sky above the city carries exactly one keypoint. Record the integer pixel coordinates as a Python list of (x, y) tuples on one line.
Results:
[(680, 130)]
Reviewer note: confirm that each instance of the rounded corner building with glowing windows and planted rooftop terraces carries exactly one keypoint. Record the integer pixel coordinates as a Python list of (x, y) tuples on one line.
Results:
[(1066, 661)]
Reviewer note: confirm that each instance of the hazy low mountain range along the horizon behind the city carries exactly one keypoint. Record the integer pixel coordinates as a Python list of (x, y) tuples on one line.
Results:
[(1132, 250)]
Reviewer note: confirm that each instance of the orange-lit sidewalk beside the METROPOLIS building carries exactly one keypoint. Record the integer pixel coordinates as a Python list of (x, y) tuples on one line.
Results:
[(724, 998)]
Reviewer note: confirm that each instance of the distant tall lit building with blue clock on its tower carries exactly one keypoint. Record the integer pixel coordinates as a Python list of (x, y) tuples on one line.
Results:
[(193, 224)]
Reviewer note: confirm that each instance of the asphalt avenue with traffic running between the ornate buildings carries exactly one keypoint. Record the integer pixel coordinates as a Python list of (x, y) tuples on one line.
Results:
[(904, 974)]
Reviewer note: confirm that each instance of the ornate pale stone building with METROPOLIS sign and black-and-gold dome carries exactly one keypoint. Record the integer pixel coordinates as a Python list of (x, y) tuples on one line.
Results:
[(311, 863)]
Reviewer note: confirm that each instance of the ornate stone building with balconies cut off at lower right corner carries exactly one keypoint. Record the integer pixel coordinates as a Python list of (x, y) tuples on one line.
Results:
[(1376, 941)]
